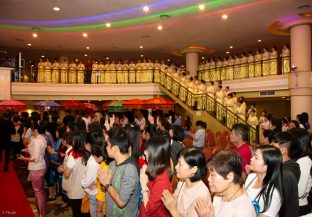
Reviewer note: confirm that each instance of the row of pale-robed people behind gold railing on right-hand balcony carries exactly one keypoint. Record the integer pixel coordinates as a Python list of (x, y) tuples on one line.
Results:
[(261, 63)]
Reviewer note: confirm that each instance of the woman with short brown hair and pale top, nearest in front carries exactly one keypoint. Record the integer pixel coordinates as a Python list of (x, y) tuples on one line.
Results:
[(224, 180)]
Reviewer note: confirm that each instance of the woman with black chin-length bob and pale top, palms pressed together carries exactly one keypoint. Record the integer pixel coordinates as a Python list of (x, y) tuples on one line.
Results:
[(190, 171)]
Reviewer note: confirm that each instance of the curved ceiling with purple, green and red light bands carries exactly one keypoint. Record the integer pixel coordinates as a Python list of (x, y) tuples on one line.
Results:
[(60, 33)]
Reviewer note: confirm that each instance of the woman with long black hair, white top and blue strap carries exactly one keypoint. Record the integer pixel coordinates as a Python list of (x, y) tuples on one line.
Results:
[(264, 186)]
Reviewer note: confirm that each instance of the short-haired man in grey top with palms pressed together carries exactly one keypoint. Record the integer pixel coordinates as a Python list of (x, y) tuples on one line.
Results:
[(121, 183)]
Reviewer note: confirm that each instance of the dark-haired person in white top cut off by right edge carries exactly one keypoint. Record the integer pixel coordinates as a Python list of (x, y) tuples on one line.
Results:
[(303, 158)]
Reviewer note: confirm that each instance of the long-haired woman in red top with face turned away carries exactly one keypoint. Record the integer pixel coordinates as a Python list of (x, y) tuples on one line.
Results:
[(154, 177)]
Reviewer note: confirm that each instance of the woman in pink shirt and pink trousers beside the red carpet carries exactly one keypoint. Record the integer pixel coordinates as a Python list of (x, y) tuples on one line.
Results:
[(37, 166)]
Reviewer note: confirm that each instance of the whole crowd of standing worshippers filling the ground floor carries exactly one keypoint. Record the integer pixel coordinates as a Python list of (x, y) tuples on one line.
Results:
[(115, 166)]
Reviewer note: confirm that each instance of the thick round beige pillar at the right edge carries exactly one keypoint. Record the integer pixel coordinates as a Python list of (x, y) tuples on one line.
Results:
[(299, 81)]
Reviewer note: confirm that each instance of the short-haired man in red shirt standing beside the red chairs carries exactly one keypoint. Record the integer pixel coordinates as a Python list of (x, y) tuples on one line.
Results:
[(239, 137)]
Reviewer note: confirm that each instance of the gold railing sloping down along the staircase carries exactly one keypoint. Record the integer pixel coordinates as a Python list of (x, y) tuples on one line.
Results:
[(193, 102)]
